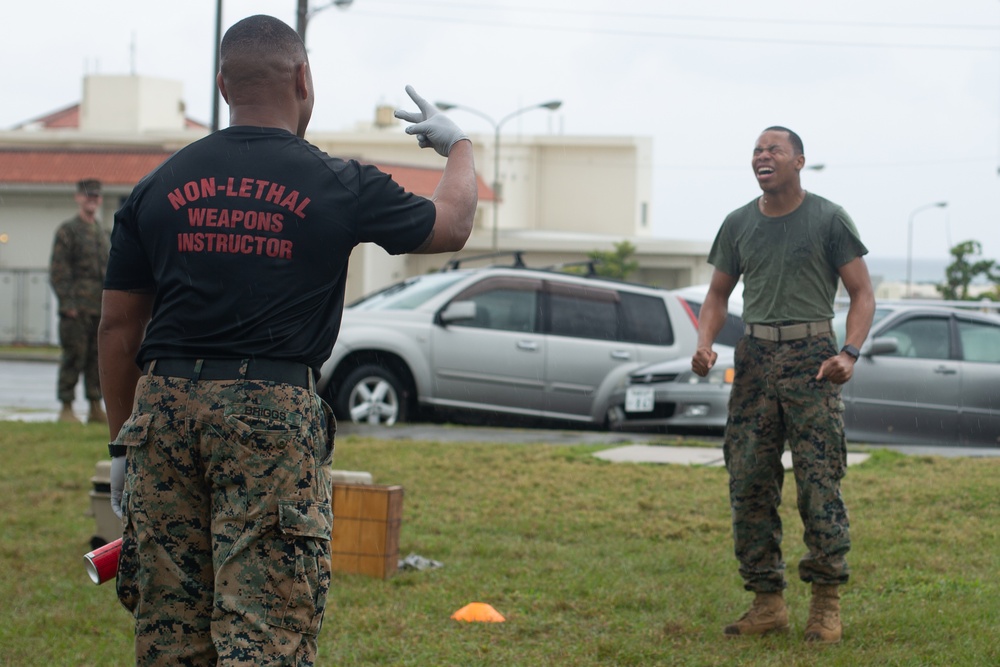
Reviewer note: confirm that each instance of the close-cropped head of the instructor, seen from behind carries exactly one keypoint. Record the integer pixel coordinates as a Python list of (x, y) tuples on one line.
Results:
[(257, 53)]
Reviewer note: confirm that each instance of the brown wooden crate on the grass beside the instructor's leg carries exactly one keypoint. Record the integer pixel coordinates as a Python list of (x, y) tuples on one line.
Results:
[(366, 522)]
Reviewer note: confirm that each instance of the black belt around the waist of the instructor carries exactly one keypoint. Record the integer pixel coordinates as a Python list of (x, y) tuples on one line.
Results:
[(267, 370)]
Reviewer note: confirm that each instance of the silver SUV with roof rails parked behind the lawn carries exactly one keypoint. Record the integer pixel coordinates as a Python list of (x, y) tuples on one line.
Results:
[(511, 341)]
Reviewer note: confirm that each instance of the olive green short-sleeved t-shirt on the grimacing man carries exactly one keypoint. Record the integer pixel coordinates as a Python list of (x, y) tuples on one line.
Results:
[(789, 263)]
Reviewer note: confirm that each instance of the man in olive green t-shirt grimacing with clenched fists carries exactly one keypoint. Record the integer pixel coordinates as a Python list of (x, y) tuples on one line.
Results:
[(791, 247)]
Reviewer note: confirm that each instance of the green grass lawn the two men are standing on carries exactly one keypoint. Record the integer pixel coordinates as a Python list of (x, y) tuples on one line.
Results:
[(592, 563)]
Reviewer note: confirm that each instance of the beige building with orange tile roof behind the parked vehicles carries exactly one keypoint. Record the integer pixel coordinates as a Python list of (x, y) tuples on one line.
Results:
[(563, 197)]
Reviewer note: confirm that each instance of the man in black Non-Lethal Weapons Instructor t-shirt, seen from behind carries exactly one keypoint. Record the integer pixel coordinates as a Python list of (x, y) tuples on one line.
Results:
[(223, 295)]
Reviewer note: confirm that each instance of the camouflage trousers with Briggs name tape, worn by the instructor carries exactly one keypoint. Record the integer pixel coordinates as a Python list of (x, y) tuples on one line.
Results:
[(226, 547)]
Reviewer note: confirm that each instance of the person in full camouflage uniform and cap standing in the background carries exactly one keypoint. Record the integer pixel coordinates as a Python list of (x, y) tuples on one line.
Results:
[(76, 272)]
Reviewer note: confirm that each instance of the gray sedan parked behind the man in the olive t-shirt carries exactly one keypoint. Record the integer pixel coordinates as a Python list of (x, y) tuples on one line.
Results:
[(927, 375)]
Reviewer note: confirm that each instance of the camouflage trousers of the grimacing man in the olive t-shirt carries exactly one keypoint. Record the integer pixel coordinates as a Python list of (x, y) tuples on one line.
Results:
[(776, 398)]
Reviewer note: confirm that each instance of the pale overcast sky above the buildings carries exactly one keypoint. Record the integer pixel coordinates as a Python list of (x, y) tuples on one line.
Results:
[(898, 99)]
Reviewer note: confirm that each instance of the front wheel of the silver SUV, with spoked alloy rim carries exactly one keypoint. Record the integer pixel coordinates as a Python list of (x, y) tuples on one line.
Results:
[(373, 395)]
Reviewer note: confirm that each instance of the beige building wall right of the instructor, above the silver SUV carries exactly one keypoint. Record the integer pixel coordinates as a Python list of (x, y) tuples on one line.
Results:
[(562, 197)]
